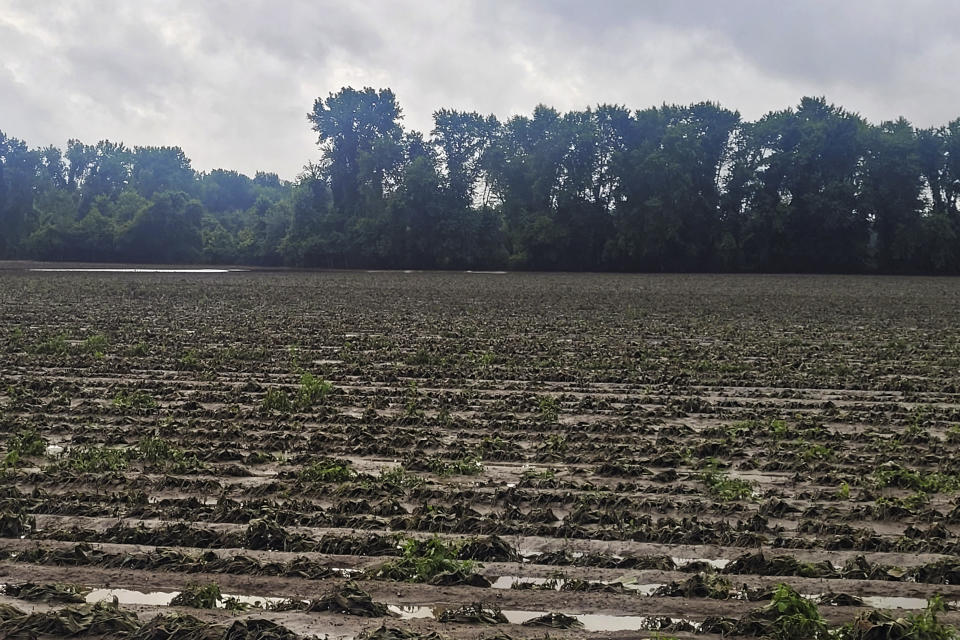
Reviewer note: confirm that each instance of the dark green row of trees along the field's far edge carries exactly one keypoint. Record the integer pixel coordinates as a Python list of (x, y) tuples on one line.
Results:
[(673, 188)]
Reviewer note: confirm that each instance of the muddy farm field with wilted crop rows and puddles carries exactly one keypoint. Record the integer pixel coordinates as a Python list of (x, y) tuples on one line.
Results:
[(395, 455)]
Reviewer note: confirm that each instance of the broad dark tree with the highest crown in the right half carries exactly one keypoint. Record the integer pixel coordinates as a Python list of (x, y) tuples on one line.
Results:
[(803, 212)]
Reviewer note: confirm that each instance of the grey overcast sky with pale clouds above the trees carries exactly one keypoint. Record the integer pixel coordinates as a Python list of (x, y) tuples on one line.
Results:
[(231, 81)]
